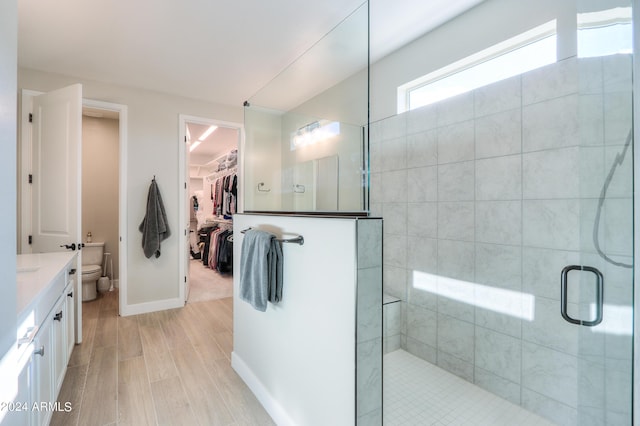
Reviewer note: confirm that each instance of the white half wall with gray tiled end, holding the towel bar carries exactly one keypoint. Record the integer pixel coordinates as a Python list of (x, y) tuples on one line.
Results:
[(299, 357)]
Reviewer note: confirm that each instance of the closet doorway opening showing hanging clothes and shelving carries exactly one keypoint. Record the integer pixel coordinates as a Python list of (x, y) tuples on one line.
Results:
[(211, 199)]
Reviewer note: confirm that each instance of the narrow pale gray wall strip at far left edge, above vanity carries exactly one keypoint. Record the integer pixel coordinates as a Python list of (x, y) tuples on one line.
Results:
[(8, 120)]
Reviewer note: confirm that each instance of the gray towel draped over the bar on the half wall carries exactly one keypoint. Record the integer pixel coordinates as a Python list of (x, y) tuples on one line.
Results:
[(260, 269)]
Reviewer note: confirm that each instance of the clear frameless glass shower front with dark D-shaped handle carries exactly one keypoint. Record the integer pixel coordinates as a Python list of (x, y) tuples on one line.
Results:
[(508, 245)]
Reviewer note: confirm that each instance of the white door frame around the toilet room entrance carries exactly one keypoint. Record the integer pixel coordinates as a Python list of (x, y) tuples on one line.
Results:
[(24, 190)]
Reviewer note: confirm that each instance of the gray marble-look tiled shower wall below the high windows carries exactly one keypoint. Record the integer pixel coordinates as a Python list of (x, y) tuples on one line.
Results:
[(485, 198)]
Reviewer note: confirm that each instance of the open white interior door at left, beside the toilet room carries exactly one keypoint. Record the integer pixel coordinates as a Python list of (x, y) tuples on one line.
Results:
[(57, 174)]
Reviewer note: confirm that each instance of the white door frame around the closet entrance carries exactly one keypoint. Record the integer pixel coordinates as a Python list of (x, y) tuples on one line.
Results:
[(183, 119)]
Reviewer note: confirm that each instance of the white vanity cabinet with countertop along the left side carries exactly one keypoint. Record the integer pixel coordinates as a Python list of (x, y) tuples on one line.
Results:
[(46, 335)]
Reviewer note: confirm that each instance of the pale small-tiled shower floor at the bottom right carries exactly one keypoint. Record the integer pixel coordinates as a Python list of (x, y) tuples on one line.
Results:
[(419, 393)]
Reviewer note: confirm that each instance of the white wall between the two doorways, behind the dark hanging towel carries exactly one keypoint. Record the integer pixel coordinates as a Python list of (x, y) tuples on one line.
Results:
[(153, 140)]
